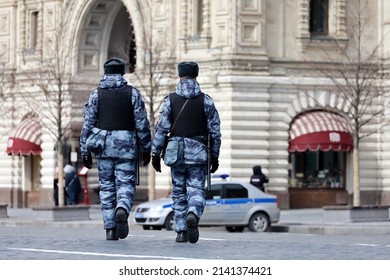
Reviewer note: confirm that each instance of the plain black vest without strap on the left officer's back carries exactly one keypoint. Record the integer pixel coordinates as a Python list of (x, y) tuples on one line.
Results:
[(115, 110)]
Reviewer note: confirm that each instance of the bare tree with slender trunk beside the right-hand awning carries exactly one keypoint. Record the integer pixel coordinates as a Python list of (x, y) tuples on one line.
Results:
[(356, 74)]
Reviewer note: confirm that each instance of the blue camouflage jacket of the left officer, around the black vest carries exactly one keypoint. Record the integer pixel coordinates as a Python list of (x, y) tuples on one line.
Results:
[(118, 143)]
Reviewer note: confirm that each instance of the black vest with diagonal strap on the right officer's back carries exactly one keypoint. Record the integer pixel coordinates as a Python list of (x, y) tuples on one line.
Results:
[(192, 121)]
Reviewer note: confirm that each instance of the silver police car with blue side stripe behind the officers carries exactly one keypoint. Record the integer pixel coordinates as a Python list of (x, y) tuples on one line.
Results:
[(232, 204)]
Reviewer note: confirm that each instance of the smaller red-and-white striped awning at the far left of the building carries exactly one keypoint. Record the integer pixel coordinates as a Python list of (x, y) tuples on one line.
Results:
[(25, 139)]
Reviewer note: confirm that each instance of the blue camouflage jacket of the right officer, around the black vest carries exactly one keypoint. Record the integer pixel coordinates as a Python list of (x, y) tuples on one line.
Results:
[(195, 152)]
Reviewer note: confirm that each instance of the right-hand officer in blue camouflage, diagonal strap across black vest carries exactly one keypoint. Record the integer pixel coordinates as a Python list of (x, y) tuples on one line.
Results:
[(189, 123)]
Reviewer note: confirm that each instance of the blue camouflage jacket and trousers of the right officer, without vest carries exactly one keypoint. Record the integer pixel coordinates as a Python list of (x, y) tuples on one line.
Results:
[(188, 179)]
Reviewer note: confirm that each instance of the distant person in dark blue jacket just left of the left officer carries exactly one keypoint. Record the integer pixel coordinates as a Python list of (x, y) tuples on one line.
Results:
[(72, 185)]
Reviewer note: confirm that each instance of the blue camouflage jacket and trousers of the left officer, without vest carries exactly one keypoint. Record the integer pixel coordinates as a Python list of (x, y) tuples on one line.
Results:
[(116, 162)]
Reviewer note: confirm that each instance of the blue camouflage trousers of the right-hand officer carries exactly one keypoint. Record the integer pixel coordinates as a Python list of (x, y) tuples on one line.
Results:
[(188, 193)]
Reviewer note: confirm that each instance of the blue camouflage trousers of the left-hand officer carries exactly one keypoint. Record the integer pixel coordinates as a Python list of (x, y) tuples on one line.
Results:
[(117, 187)]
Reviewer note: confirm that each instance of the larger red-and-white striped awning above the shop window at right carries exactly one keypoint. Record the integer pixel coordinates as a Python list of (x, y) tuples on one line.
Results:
[(320, 130)]
